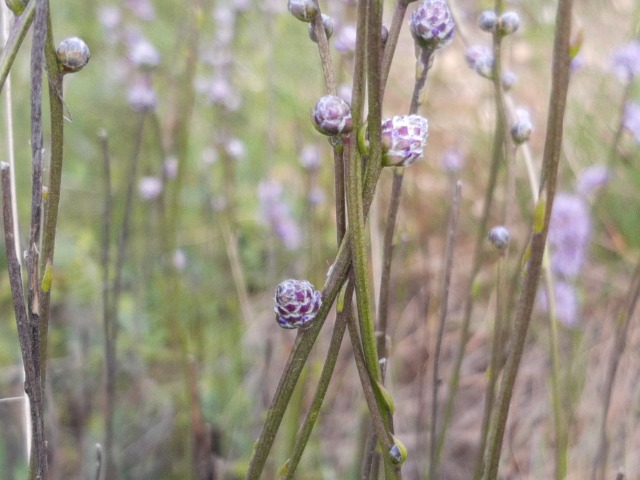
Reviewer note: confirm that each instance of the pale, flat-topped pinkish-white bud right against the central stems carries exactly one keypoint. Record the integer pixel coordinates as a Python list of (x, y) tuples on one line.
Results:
[(403, 140)]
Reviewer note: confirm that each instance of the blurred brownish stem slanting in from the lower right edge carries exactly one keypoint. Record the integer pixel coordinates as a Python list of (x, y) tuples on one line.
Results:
[(623, 320)]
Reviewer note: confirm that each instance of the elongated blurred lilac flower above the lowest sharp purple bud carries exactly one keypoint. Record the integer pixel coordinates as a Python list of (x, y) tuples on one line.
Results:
[(277, 214)]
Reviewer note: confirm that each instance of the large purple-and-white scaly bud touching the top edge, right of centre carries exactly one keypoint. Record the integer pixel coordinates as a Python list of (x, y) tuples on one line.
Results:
[(432, 25)]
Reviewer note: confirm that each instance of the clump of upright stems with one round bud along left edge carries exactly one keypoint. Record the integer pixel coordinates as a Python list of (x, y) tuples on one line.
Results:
[(32, 299)]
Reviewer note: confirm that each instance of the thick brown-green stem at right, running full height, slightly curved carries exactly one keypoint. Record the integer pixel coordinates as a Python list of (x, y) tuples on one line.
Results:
[(551, 158)]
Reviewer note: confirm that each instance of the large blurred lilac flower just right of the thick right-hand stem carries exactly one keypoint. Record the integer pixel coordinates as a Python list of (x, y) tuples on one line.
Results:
[(569, 234)]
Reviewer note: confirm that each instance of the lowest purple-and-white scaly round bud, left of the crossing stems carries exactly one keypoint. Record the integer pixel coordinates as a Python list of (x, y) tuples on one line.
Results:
[(296, 303)]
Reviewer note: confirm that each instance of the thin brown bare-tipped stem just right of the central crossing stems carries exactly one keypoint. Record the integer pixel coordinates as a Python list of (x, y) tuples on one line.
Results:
[(452, 229)]
